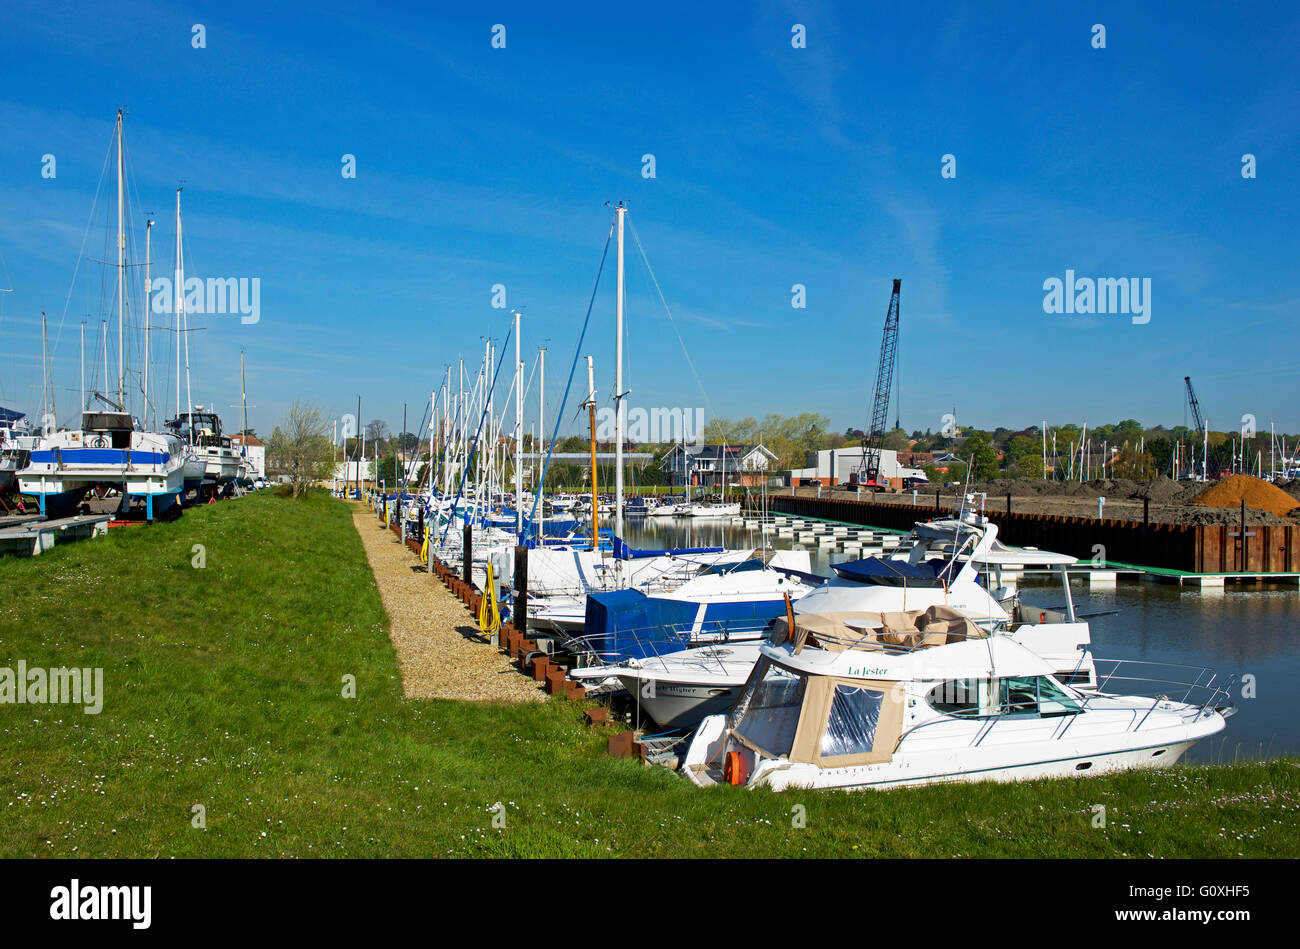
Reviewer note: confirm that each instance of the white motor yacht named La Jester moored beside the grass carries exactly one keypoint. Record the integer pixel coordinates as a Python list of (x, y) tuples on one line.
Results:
[(859, 701)]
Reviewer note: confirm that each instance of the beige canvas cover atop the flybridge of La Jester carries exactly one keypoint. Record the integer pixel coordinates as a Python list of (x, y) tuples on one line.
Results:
[(838, 632)]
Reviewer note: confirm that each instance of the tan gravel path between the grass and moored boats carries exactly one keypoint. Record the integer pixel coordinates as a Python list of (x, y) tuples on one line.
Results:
[(440, 651)]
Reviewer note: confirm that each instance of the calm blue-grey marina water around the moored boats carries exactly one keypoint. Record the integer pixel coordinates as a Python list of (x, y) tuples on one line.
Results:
[(1249, 630)]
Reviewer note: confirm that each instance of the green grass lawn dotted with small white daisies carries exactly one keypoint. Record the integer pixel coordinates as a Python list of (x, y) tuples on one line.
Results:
[(224, 690)]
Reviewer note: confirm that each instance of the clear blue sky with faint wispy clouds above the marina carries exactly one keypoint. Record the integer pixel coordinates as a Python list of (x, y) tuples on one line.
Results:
[(774, 167)]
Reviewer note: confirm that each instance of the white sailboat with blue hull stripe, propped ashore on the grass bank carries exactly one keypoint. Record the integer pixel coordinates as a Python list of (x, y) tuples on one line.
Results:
[(111, 450)]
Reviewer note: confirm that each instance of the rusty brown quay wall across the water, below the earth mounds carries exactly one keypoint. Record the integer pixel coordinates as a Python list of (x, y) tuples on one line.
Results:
[(1193, 549)]
